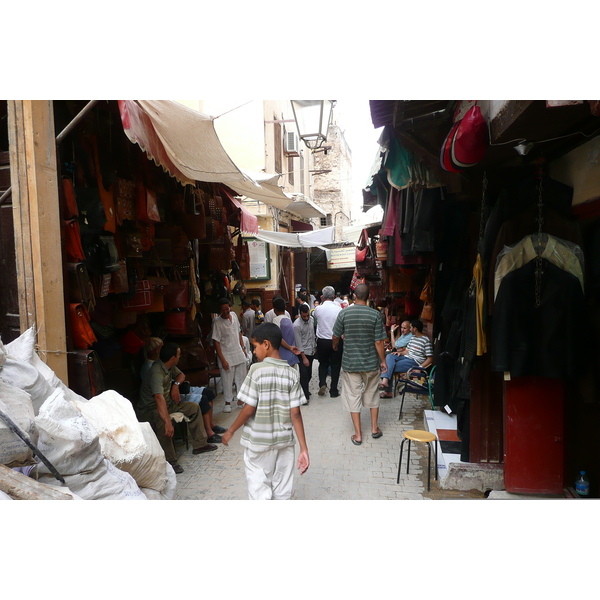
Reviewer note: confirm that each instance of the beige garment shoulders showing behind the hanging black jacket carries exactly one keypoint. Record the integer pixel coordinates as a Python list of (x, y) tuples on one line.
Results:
[(561, 253)]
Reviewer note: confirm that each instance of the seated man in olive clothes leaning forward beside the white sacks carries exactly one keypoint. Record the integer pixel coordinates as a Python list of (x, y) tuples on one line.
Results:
[(159, 397)]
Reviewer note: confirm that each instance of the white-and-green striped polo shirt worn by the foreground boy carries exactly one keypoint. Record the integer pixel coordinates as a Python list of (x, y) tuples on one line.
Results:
[(273, 387)]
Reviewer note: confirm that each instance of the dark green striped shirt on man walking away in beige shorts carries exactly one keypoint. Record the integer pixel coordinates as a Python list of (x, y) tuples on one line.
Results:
[(361, 327)]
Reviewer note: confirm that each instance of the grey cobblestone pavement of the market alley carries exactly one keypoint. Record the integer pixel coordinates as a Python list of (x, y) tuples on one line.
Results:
[(339, 470)]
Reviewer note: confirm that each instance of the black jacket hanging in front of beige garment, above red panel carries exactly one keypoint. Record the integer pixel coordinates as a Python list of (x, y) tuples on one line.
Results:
[(544, 341)]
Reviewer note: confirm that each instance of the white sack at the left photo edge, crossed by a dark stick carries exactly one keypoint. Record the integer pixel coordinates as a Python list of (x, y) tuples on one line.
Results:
[(16, 404)]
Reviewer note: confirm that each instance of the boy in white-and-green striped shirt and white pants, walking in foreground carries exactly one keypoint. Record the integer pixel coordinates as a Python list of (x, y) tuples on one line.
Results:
[(270, 416)]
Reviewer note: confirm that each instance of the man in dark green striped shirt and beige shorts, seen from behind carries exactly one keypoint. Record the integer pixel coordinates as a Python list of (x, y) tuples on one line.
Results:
[(363, 359)]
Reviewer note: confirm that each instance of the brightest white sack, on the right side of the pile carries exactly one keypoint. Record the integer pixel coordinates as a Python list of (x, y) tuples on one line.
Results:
[(113, 417)]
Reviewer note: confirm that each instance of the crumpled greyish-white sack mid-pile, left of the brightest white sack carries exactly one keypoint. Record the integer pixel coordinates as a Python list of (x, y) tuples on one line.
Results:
[(66, 438)]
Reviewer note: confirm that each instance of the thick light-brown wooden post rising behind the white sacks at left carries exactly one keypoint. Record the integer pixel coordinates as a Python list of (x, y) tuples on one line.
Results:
[(37, 225)]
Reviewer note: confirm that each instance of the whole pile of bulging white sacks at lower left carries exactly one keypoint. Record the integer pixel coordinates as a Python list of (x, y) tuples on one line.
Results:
[(97, 445)]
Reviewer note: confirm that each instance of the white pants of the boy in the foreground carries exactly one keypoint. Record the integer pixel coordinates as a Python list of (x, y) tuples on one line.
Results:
[(270, 474)]
